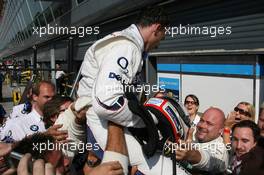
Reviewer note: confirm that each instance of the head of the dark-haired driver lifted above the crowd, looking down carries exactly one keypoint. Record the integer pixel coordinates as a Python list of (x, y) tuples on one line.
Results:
[(151, 23)]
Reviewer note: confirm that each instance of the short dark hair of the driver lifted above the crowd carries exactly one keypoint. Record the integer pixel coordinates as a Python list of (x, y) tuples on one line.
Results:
[(152, 15)]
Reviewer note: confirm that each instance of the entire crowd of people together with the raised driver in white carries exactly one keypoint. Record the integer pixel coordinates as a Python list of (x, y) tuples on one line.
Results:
[(89, 135)]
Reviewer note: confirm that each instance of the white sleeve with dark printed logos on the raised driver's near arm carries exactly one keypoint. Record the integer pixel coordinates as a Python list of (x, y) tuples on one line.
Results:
[(119, 66)]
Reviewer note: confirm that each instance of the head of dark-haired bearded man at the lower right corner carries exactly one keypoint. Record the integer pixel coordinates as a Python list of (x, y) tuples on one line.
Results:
[(245, 135)]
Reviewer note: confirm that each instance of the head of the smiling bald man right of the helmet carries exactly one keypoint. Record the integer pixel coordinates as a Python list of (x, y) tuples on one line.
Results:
[(210, 125)]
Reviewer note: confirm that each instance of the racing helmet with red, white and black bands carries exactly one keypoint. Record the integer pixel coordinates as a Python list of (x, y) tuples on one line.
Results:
[(173, 122)]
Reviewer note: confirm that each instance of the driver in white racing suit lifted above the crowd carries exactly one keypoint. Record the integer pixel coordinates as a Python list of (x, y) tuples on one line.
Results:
[(109, 64)]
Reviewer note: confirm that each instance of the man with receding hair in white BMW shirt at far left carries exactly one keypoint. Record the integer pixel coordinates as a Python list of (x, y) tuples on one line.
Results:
[(17, 128)]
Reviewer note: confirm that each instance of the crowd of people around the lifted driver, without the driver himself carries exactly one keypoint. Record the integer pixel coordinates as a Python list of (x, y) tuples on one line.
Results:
[(231, 144)]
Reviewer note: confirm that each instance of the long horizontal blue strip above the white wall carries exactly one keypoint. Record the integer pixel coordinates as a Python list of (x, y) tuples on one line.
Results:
[(229, 69)]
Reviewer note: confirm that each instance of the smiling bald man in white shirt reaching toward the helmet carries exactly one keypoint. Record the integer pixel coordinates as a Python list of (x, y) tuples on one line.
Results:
[(208, 152)]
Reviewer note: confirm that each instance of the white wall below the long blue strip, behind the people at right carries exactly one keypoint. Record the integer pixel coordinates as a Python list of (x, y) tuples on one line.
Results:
[(222, 92)]
